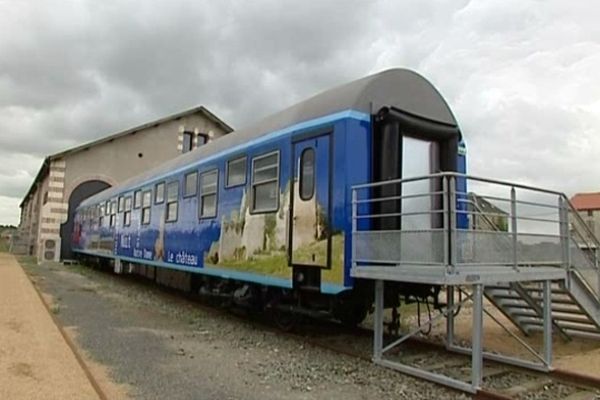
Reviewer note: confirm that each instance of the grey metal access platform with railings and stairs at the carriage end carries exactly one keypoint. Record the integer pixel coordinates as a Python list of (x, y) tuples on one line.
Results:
[(524, 249)]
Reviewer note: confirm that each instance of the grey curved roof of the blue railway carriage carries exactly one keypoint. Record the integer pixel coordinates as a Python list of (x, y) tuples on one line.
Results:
[(403, 89)]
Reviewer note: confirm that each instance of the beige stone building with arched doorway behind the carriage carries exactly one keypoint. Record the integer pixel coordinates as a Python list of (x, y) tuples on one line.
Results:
[(67, 178)]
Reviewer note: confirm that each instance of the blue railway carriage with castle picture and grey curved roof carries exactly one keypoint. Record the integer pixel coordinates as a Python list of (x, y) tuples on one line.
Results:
[(264, 214)]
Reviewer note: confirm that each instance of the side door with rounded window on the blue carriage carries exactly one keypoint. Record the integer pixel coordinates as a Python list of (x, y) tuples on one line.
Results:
[(310, 242)]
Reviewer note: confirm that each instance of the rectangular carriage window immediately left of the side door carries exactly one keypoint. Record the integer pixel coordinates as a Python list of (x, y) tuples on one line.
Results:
[(265, 183)]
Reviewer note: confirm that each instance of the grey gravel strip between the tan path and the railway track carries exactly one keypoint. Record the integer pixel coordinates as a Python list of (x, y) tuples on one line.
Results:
[(163, 346)]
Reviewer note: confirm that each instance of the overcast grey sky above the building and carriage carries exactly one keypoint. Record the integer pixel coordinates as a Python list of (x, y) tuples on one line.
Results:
[(522, 77)]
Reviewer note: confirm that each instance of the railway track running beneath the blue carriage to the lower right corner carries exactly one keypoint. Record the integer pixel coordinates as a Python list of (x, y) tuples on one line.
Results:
[(500, 381)]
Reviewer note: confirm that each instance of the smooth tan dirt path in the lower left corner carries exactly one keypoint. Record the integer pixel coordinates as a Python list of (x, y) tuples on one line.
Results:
[(35, 361)]
